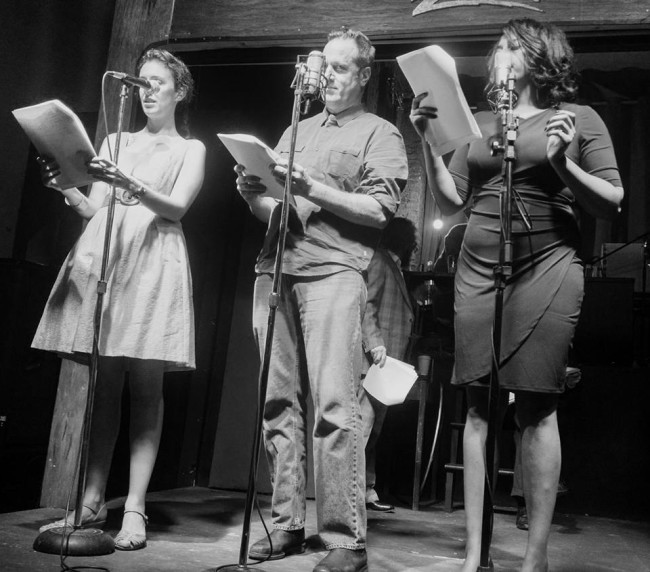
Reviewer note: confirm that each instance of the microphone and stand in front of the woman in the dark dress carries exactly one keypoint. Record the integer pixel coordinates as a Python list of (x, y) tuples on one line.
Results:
[(502, 271)]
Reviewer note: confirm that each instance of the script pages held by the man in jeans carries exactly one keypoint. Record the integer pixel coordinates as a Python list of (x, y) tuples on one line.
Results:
[(257, 157)]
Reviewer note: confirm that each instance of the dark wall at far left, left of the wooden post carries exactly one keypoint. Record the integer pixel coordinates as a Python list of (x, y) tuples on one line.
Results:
[(55, 49)]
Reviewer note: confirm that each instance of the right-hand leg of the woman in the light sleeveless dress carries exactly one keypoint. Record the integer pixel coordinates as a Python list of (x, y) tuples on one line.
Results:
[(146, 390)]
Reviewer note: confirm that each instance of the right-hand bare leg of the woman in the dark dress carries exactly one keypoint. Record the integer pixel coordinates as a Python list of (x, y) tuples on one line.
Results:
[(541, 461)]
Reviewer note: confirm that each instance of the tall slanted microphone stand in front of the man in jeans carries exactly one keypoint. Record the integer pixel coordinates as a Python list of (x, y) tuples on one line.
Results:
[(274, 299)]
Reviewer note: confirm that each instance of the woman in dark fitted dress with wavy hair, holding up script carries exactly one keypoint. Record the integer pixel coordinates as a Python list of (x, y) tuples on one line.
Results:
[(564, 161)]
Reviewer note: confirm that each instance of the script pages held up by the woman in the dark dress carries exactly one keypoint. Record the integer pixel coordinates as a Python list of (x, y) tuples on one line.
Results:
[(433, 70)]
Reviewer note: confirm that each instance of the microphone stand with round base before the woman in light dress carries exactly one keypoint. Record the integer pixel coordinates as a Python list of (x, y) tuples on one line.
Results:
[(75, 540)]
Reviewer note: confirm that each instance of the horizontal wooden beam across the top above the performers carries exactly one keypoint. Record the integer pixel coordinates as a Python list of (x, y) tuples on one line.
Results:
[(248, 23)]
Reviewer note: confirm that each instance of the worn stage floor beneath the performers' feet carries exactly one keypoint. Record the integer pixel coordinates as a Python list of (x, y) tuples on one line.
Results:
[(199, 529)]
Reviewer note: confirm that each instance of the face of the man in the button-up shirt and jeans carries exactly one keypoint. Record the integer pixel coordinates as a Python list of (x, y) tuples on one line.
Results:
[(345, 79)]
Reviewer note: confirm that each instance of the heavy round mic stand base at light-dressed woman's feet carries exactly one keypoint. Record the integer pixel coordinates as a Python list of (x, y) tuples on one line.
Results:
[(69, 541)]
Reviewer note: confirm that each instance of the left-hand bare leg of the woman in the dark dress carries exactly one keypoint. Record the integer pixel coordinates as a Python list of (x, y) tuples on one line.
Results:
[(474, 437)]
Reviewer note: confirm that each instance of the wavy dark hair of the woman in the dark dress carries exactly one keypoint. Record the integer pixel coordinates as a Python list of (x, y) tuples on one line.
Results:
[(549, 59)]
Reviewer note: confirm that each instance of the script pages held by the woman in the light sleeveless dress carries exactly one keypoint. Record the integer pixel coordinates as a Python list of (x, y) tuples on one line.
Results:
[(56, 131)]
